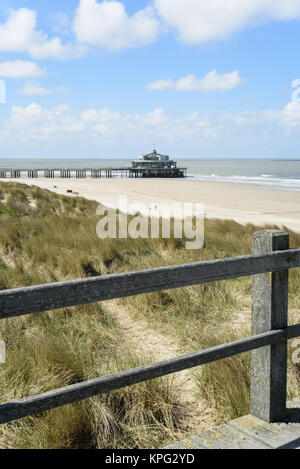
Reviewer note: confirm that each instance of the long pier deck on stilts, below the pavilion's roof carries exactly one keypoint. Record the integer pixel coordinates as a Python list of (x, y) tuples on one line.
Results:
[(93, 173)]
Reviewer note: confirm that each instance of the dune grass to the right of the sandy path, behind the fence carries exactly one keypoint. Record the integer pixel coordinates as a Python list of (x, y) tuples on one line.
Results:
[(207, 315)]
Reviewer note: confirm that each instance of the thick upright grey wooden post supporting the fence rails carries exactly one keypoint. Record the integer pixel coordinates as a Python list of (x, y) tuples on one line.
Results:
[(269, 312)]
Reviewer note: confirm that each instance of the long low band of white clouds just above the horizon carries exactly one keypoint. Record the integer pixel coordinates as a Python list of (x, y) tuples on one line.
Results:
[(35, 122)]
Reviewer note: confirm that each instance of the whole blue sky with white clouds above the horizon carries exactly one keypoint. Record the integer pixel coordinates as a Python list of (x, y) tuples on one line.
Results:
[(110, 79)]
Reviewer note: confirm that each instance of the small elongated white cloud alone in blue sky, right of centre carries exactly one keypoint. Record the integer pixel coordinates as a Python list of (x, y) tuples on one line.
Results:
[(211, 82)]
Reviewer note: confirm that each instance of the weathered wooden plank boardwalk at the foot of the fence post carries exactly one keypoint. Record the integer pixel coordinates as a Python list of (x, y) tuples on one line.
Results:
[(249, 432)]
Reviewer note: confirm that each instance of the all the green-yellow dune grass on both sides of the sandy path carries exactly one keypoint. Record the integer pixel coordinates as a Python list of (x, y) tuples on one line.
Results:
[(47, 238)]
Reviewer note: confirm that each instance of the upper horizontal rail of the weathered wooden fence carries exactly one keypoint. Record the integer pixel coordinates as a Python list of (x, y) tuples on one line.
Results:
[(21, 301)]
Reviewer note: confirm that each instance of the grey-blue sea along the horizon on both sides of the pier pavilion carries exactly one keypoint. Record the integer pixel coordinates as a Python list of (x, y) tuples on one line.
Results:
[(283, 174)]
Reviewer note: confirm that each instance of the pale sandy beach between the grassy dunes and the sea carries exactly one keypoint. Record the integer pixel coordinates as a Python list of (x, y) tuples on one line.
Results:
[(245, 203)]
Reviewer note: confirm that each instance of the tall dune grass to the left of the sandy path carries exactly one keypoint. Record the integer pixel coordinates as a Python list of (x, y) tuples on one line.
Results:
[(52, 239)]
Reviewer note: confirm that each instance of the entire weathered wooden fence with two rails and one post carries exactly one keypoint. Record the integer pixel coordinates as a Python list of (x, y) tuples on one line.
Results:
[(269, 265)]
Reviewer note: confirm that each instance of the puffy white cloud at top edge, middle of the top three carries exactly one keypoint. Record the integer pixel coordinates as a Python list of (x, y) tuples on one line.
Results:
[(107, 24)]
